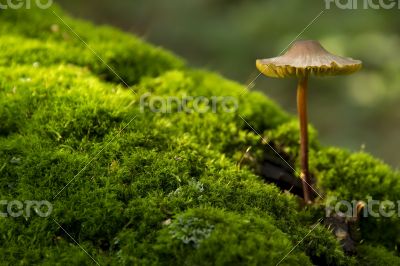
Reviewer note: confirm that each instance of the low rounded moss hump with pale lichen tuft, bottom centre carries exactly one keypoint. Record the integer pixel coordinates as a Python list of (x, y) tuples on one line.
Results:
[(224, 238)]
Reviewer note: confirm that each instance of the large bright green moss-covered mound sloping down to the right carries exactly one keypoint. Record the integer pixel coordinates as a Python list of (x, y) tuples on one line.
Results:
[(134, 187)]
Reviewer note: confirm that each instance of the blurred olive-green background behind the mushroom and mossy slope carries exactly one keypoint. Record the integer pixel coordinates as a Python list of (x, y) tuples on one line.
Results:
[(357, 112)]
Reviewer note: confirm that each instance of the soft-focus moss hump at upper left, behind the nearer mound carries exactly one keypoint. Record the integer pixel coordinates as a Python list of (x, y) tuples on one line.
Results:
[(41, 37)]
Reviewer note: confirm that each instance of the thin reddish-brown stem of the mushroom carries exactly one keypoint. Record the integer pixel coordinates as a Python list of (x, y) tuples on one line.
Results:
[(302, 110)]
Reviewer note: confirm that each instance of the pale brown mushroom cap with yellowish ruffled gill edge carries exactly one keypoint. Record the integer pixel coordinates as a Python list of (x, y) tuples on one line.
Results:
[(305, 58)]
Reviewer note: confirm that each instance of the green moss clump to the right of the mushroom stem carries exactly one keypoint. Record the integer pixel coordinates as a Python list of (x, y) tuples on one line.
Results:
[(360, 177)]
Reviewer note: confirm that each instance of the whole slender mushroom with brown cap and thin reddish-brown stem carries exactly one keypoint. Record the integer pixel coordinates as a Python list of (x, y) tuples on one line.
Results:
[(303, 59)]
